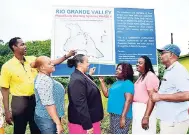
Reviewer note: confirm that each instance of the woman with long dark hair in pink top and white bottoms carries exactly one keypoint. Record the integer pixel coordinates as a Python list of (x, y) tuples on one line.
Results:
[(144, 120)]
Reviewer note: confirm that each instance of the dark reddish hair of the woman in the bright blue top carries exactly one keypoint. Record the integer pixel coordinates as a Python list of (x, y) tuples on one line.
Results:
[(127, 71)]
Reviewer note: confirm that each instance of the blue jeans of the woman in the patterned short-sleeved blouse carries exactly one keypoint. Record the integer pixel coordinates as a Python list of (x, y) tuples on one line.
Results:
[(45, 125)]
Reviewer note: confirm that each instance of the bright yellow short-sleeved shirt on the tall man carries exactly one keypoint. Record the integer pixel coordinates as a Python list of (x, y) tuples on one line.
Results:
[(17, 77)]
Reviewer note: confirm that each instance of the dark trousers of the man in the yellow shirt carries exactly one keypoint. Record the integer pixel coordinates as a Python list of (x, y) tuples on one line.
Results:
[(23, 109)]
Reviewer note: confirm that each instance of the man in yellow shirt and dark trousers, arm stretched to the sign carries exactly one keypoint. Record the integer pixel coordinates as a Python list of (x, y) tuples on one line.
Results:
[(17, 76)]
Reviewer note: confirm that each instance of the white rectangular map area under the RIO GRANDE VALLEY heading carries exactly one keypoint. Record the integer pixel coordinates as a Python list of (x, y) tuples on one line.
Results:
[(91, 37)]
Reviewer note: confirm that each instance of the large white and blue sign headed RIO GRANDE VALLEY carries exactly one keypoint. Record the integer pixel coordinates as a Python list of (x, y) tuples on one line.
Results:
[(107, 36)]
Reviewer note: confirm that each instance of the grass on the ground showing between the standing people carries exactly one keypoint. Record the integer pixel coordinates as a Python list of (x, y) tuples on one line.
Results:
[(104, 122)]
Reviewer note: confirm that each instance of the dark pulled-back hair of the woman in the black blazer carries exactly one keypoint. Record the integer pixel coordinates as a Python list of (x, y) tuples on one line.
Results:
[(75, 60)]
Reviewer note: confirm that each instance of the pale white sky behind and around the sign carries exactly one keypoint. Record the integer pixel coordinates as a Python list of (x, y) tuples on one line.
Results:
[(32, 19)]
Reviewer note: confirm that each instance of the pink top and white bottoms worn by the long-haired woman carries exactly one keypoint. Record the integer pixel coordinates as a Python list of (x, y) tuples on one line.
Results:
[(150, 82)]
